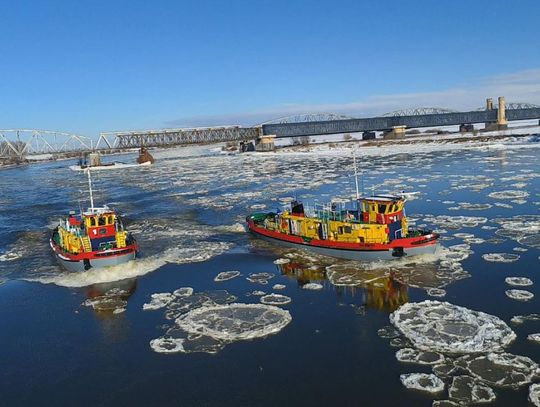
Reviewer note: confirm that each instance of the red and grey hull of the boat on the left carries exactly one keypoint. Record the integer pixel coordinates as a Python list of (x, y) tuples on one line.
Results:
[(80, 263)]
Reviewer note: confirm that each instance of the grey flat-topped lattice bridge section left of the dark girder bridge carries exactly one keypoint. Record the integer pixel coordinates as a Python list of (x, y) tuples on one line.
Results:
[(172, 137)]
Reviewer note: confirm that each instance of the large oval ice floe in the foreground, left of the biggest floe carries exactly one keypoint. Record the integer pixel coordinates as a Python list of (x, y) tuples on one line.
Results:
[(234, 322)]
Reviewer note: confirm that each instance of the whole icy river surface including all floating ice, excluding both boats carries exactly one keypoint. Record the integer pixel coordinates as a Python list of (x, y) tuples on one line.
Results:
[(210, 316)]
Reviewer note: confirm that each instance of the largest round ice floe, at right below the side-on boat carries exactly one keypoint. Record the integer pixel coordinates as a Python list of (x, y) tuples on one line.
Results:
[(447, 328)]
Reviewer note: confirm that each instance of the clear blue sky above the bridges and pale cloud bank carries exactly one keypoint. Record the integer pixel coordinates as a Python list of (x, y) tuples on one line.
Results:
[(90, 66)]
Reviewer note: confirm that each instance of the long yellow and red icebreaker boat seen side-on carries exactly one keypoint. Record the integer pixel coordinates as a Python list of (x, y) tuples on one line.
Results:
[(372, 228)]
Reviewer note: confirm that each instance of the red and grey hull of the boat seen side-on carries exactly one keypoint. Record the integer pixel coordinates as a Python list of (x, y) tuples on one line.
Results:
[(408, 247)]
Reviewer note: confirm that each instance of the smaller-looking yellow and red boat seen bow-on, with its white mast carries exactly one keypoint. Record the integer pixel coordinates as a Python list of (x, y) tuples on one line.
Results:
[(95, 238)]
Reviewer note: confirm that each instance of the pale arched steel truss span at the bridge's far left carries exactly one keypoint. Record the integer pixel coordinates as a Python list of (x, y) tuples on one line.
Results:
[(18, 143)]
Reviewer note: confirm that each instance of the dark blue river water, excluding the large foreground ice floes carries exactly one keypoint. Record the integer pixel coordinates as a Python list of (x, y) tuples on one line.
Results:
[(187, 212)]
